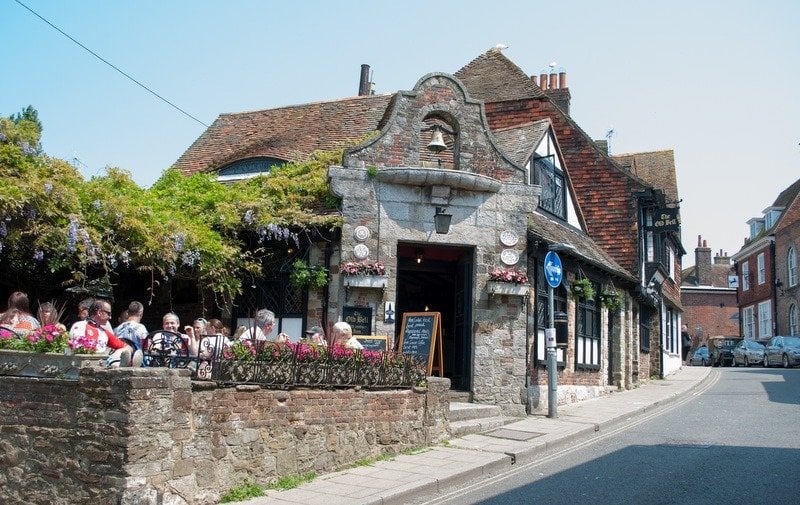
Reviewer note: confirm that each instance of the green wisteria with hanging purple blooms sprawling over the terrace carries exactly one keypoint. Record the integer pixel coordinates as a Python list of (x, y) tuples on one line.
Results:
[(59, 230)]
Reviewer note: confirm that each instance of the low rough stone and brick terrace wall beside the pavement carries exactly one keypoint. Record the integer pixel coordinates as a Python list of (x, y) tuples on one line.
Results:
[(146, 436)]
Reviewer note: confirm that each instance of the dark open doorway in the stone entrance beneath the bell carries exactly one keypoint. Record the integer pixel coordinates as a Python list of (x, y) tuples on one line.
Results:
[(439, 279)]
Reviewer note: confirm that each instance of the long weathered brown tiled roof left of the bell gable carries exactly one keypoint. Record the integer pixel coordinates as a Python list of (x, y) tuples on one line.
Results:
[(285, 133)]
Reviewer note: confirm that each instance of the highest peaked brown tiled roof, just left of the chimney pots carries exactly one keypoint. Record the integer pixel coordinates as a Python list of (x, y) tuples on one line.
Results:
[(492, 77)]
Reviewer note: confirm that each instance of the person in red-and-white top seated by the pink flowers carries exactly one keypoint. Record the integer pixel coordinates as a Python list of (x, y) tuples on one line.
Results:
[(99, 334)]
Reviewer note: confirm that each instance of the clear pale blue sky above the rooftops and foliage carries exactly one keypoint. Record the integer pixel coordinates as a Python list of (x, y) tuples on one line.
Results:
[(715, 81)]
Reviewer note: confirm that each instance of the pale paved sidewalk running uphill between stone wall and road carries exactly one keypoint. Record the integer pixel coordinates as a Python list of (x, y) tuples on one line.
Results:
[(464, 460)]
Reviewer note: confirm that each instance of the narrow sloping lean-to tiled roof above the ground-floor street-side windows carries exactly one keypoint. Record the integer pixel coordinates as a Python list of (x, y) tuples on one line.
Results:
[(586, 249)]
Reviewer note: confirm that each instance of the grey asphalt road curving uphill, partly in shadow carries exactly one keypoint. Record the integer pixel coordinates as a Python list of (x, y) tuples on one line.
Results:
[(735, 440)]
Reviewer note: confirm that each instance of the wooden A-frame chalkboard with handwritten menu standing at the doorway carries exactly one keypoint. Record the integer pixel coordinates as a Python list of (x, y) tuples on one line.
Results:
[(421, 334)]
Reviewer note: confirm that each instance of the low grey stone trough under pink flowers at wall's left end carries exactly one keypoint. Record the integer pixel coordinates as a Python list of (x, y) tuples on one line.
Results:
[(39, 364)]
